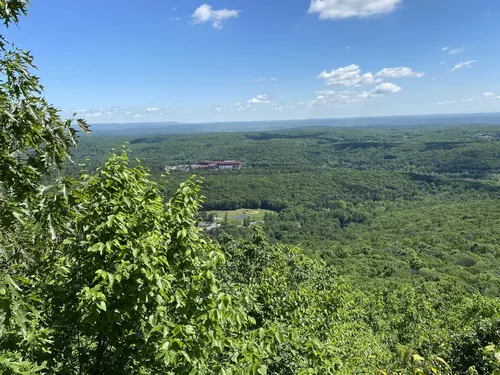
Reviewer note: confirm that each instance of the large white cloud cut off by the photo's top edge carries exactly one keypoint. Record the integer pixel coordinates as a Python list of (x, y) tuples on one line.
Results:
[(338, 9)]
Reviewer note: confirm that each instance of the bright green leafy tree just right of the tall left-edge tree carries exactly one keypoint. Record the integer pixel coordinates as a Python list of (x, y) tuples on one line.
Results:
[(131, 288)]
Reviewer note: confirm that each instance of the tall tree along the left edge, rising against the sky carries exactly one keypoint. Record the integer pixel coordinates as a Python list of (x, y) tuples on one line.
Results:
[(34, 142)]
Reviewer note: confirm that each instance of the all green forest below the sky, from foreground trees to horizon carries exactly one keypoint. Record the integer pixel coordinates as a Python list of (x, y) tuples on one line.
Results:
[(379, 253)]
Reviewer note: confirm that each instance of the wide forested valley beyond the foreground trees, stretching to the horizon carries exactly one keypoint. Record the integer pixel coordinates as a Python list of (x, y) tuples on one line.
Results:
[(407, 204)]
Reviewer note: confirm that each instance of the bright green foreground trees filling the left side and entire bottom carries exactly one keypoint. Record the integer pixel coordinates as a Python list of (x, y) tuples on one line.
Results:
[(104, 274)]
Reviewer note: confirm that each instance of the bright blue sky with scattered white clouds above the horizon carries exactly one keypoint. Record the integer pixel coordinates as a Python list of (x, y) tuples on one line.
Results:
[(238, 60)]
